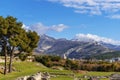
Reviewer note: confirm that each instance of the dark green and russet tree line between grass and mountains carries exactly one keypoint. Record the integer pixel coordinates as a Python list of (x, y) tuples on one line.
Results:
[(51, 61)]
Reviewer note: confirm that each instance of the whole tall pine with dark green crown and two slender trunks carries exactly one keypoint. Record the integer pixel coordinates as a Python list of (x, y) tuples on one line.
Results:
[(14, 37)]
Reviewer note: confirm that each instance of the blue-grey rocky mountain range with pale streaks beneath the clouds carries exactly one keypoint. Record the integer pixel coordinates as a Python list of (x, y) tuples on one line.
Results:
[(73, 48)]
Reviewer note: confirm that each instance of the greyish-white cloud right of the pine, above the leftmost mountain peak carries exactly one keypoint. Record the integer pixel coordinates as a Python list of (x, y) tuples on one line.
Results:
[(42, 29)]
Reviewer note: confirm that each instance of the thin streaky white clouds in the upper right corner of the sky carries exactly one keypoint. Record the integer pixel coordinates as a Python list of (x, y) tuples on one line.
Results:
[(92, 7)]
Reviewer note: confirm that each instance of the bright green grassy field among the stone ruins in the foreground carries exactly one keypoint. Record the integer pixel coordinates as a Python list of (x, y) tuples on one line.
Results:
[(29, 68)]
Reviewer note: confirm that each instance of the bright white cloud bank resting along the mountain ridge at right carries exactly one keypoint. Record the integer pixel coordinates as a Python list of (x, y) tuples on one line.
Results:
[(91, 37)]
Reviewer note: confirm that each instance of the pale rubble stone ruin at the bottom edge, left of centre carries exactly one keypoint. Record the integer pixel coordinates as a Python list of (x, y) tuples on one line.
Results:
[(37, 76)]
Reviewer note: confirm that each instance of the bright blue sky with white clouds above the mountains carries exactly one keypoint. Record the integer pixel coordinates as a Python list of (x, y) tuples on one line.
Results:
[(98, 19)]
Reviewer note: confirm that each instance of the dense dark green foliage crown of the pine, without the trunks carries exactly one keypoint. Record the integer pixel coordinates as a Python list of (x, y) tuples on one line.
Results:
[(12, 33)]
